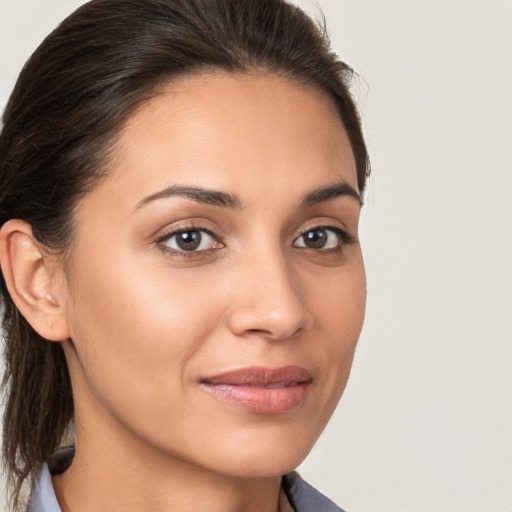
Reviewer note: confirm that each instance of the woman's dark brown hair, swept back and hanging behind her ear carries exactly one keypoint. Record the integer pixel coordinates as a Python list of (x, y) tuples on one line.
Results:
[(59, 127)]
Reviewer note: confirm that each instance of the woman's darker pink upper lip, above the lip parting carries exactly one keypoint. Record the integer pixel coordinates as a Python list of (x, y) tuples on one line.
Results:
[(261, 376)]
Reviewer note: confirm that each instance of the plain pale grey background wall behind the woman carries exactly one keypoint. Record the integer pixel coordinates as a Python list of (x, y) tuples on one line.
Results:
[(426, 420)]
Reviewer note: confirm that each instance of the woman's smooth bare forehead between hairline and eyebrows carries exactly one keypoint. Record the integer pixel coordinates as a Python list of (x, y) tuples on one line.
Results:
[(244, 134)]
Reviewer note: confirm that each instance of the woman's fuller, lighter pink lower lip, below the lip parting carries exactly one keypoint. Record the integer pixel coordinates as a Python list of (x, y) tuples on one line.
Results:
[(261, 400)]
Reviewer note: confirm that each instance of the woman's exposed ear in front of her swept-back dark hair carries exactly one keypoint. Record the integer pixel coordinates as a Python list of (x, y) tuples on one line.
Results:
[(32, 281)]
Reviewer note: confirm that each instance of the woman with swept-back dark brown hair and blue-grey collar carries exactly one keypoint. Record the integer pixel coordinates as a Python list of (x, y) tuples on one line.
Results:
[(184, 287)]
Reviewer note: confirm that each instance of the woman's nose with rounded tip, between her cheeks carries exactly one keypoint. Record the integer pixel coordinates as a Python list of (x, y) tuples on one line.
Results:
[(268, 301)]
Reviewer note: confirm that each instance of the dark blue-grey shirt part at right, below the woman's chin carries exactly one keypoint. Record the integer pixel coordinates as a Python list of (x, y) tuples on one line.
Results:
[(305, 498)]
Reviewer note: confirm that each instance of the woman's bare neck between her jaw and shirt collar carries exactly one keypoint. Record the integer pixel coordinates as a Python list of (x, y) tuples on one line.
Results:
[(122, 473)]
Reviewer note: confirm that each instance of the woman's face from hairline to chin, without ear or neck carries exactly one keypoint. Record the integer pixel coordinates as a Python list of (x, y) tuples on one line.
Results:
[(217, 288)]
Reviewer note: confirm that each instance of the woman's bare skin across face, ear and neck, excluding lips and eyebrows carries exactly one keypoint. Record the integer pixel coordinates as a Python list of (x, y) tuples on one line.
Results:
[(142, 324)]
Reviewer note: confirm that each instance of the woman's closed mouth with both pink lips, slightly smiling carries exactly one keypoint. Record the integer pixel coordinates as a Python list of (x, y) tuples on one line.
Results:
[(261, 390)]
